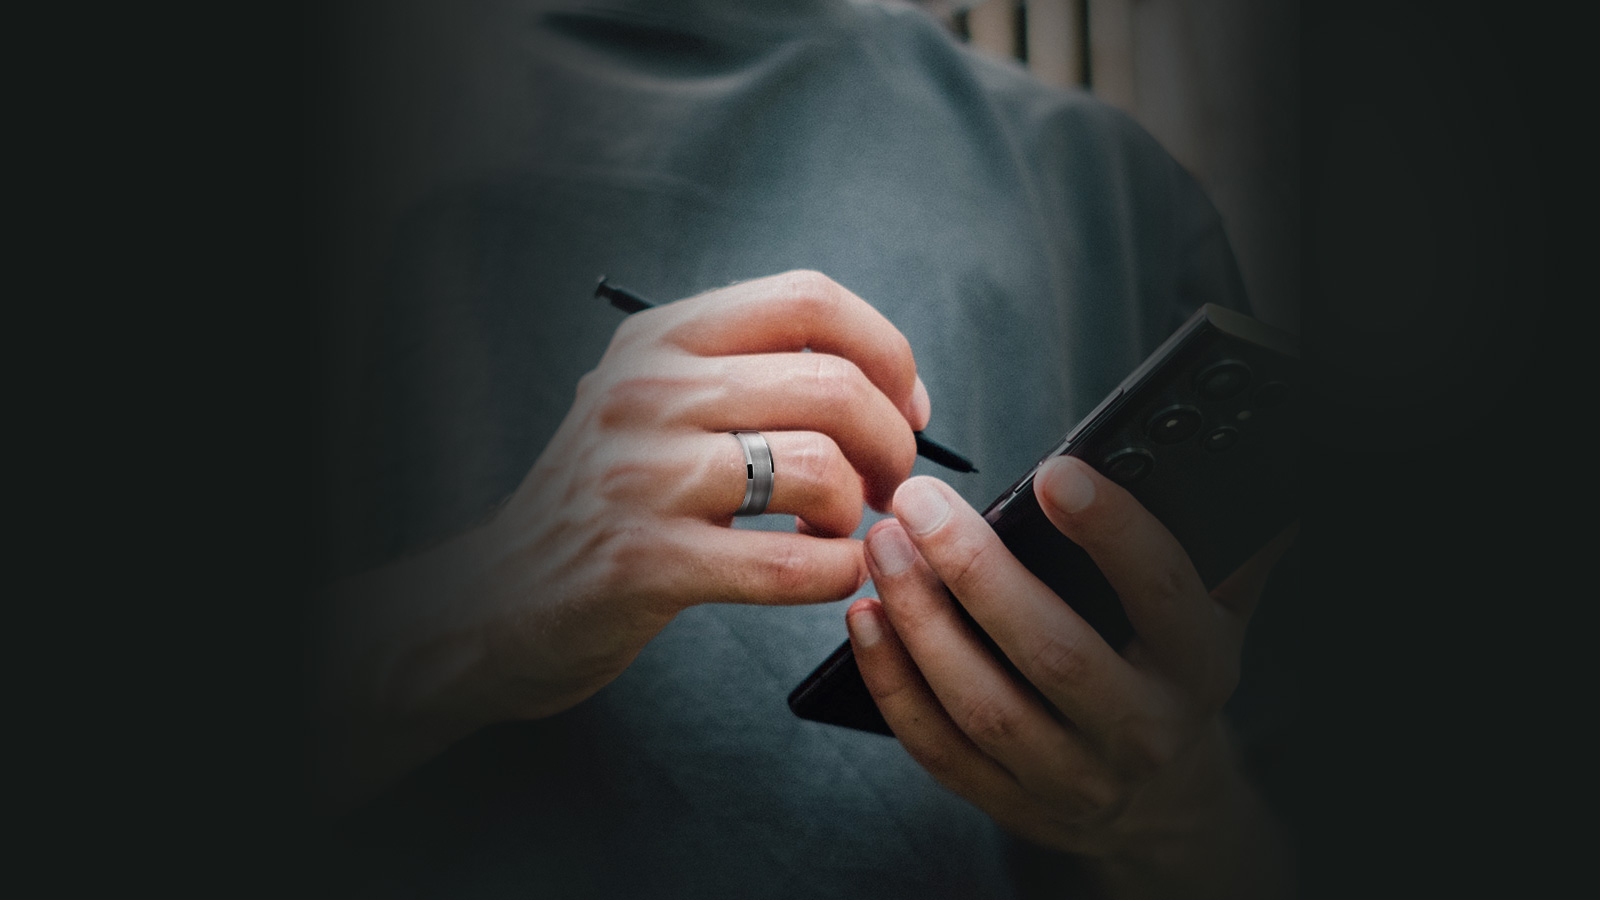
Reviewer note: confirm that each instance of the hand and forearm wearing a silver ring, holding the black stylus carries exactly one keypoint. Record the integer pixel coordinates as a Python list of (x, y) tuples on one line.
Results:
[(625, 521)]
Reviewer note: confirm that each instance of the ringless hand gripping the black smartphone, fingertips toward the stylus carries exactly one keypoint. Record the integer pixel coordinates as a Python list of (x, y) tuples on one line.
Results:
[(1121, 758)]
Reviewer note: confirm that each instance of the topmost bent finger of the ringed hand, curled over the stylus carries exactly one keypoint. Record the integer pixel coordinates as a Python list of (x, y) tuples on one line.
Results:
[(798, 311)]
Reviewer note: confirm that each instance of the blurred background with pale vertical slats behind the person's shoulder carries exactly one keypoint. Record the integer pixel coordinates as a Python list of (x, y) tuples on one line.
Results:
[(1217, 82)]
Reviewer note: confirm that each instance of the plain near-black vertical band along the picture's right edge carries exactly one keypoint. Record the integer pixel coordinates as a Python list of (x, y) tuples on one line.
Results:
[(1449, 480)]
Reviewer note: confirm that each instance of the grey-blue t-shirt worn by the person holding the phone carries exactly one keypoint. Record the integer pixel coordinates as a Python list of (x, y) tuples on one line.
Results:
[(1033, 244)]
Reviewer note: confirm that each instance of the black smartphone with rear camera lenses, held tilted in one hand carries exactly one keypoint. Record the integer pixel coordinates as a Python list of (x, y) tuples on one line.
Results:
[(1204, 435)]
